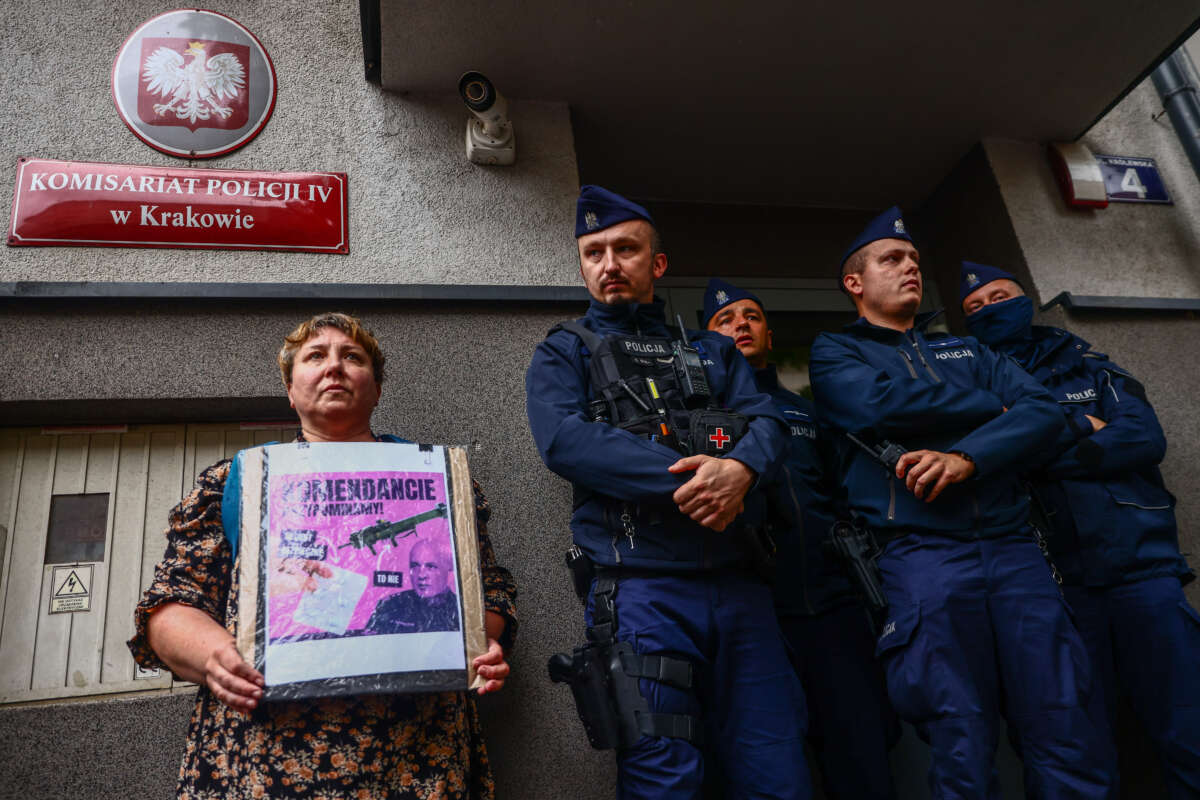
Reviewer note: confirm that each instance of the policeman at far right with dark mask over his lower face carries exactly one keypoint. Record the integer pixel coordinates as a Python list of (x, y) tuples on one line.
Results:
[(1112, 521)]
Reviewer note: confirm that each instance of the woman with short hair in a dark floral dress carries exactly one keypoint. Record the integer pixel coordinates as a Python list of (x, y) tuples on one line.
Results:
[(367, 745)]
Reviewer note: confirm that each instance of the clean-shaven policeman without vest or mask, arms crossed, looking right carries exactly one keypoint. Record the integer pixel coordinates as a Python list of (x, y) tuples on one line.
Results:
[(976, 625)]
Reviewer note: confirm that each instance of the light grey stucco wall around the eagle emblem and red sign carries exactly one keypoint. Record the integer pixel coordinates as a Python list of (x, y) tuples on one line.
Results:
[(421, 213)]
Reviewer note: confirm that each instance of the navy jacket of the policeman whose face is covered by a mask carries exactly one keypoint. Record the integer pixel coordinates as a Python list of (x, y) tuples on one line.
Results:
[(1112, 520)]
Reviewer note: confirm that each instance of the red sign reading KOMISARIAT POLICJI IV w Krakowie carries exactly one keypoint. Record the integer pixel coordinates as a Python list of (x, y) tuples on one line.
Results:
[(123, 206)]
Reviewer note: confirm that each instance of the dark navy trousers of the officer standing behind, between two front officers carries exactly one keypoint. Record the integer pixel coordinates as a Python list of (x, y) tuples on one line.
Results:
[(851, 724)]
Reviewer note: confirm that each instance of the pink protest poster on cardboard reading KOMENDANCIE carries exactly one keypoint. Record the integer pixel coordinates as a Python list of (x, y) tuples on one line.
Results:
[(359, 566)]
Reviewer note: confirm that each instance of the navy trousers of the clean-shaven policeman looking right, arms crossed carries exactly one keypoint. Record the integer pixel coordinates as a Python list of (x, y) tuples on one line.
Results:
[(977, 629)]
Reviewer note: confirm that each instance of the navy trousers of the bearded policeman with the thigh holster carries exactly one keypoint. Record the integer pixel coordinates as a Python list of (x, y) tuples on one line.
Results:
[(747, 696)]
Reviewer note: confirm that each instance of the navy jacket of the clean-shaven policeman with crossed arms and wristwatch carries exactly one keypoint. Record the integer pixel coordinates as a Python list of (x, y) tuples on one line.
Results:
[(938, 393)]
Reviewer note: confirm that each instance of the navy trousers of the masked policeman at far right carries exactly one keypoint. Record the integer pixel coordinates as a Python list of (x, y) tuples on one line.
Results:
[(1145, 636)]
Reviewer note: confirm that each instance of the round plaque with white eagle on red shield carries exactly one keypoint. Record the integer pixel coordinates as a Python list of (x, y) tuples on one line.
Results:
[(194, 85)]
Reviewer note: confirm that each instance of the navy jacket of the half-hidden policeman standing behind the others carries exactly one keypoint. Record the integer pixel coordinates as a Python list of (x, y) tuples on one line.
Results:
[(808, 582)]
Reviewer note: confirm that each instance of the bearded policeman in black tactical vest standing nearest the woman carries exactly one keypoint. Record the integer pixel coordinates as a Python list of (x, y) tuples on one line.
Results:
[(664, 531)]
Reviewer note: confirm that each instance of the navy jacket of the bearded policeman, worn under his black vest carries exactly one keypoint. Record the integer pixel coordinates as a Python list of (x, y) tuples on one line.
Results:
[(616, 472)]
